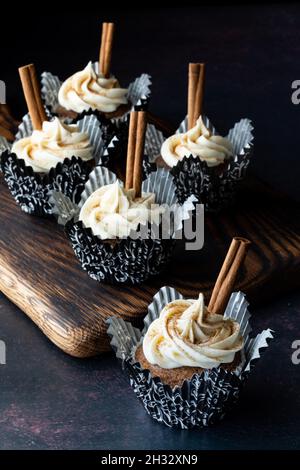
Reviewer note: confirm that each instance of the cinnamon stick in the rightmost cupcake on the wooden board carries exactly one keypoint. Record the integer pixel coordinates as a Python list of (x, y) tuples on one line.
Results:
[(195, 92)]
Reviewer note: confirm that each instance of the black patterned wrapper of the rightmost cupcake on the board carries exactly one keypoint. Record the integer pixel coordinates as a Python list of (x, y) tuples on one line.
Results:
[(213, 187)]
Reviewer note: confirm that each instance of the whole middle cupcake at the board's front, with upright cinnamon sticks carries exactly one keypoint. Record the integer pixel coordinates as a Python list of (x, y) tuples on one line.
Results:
[(116, 231)]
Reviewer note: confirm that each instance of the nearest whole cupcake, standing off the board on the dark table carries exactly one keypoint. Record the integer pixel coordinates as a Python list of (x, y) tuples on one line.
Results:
[(189, 363)]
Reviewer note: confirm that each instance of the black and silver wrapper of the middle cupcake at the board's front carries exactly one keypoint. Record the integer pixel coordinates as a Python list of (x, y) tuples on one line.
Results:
[(129, 260)]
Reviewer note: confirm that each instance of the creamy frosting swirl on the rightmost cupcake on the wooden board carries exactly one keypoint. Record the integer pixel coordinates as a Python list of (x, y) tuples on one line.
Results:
[(198, 142)]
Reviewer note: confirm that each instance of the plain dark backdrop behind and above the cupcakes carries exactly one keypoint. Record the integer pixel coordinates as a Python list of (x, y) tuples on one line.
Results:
[(252, 54)]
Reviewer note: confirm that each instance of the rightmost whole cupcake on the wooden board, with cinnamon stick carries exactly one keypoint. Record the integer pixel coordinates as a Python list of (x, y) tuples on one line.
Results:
[(202, 162)]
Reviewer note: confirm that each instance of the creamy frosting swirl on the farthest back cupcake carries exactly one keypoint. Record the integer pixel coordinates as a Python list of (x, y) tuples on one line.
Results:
[(87, 90)]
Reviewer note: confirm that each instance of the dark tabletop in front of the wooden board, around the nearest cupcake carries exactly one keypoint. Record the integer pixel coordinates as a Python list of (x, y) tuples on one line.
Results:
[(51, 401)]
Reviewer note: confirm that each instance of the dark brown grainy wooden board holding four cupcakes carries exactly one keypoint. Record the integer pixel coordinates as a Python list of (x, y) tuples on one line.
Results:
[(39, 272)]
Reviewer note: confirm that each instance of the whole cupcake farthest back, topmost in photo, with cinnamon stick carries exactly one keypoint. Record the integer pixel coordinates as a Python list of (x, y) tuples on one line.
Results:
[(94, 90)]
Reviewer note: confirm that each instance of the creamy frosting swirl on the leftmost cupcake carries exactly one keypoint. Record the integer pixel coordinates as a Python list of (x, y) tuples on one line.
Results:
[(45, 148)]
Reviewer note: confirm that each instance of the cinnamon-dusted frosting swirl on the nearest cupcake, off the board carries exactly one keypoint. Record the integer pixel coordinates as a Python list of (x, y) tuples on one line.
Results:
[(186, 334)]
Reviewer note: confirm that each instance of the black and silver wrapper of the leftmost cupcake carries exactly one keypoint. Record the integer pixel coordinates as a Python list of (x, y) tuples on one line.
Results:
[(31, 189)]
